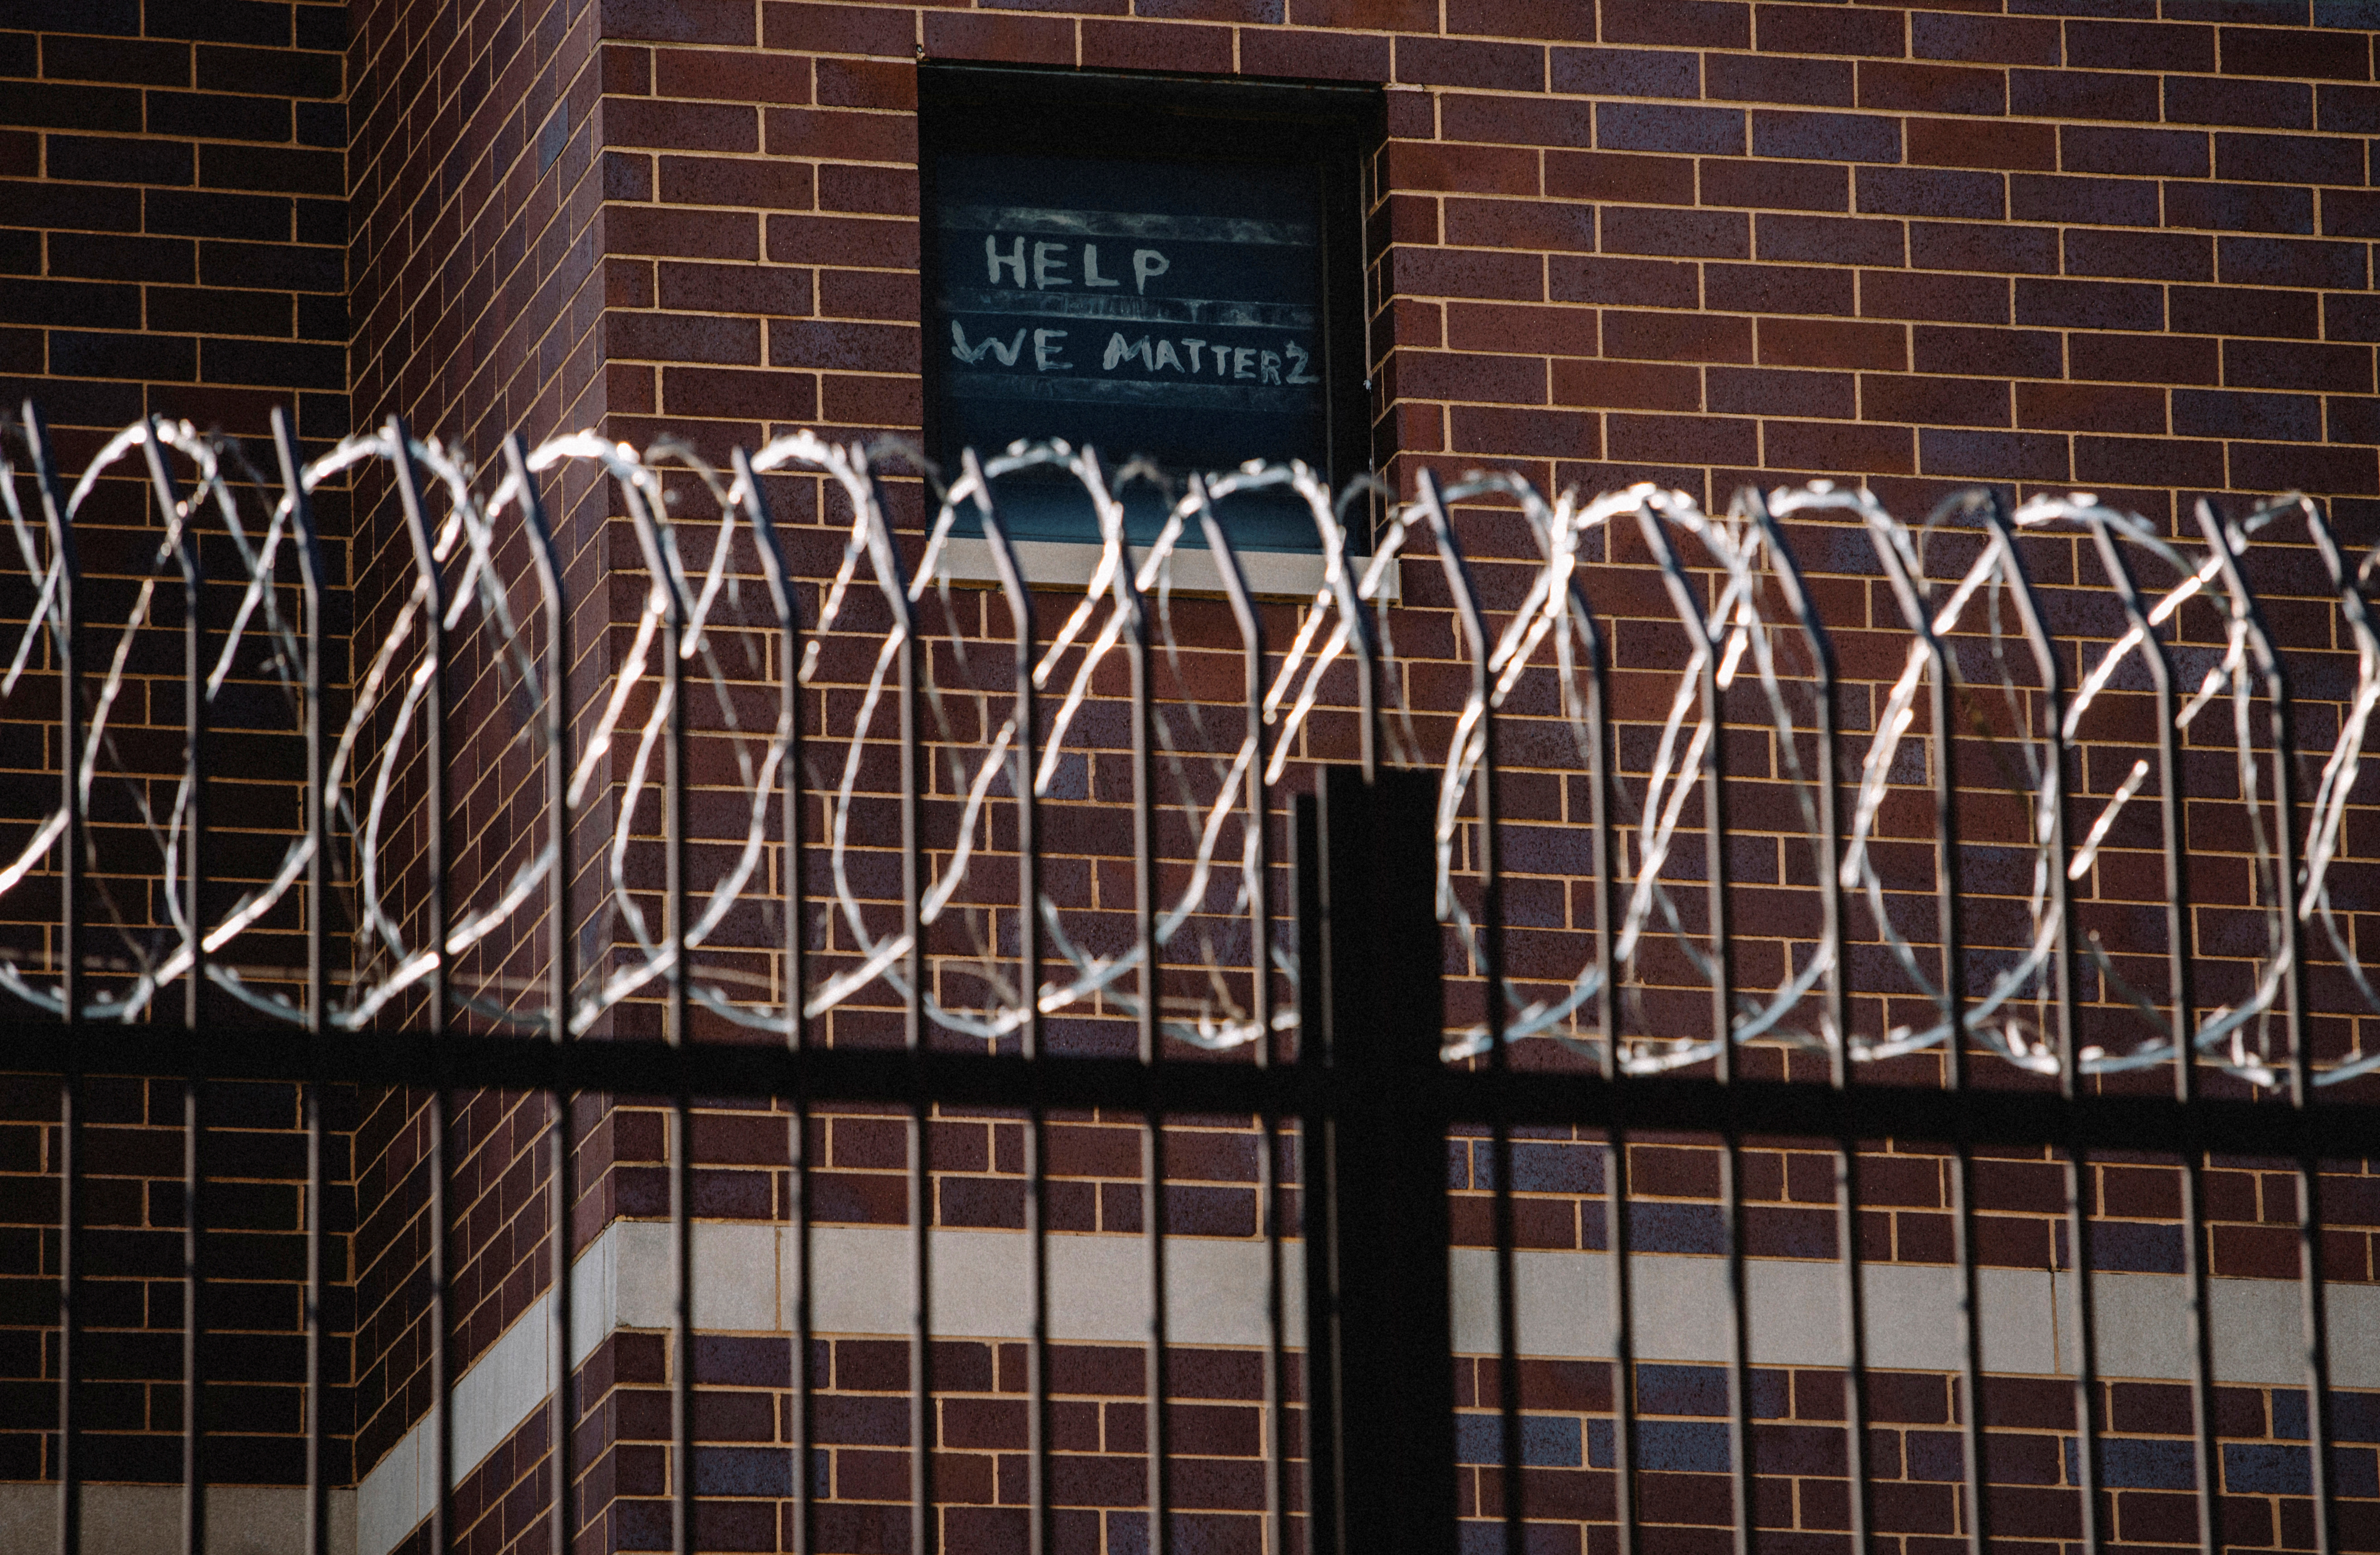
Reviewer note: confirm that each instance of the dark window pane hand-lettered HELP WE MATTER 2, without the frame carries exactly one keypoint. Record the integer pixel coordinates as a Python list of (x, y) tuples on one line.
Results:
[(1165, 311)]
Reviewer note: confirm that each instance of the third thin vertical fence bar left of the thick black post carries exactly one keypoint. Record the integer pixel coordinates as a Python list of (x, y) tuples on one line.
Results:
[(1041, 1530)]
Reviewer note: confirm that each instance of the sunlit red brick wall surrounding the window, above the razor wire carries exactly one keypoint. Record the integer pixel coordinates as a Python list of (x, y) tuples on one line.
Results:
[(1681, 242)]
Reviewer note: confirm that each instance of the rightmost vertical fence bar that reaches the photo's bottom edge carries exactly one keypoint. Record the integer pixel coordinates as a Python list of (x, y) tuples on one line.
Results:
[(2310, 1168)]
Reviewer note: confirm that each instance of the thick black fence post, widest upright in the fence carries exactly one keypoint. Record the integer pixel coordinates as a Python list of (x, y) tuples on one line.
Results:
[(1379, 1339)]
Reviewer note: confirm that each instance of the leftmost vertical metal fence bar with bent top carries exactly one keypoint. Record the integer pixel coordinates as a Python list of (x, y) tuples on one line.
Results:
[(70, 987)]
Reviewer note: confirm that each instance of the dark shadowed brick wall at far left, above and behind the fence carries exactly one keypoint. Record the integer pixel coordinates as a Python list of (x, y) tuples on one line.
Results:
[(173, 239)]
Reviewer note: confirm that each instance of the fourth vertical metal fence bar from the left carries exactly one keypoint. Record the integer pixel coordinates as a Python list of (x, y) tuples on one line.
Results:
[(434, 908)]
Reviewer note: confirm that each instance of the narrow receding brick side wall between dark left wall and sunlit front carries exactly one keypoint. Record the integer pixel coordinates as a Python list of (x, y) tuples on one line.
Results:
[(475, 194)]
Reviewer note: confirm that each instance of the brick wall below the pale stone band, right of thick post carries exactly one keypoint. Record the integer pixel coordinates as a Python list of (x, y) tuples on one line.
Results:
[(1915, 1454)]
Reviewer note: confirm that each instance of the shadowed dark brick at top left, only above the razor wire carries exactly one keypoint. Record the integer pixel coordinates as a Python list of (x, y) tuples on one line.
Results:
[(175, 213)]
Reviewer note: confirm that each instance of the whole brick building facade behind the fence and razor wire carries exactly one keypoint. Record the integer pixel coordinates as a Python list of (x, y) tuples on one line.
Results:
[(2119, 246)]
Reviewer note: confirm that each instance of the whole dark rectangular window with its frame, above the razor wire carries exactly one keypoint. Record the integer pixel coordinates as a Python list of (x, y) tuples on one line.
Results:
[(1153, 268)]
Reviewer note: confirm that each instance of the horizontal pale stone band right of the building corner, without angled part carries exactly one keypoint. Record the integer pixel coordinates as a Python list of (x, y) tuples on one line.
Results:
[(746, 1280)]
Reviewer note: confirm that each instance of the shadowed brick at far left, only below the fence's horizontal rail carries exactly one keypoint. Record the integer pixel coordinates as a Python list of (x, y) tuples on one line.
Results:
[(132, 1213)]
